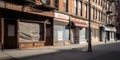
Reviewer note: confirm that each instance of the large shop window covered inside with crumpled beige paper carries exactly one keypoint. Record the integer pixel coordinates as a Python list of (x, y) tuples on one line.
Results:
[(31, 31)]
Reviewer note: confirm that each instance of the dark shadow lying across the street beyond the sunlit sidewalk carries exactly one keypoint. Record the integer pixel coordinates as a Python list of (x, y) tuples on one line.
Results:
[(76, 54)]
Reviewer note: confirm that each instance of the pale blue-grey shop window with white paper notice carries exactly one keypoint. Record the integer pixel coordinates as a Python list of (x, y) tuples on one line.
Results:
[(60, 33)]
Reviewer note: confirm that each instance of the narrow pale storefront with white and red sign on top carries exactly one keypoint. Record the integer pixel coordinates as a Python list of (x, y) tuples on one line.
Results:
[(61, 29)]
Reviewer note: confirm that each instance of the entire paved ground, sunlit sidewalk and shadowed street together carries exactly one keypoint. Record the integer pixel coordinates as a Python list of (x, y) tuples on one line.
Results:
[(72, 52)]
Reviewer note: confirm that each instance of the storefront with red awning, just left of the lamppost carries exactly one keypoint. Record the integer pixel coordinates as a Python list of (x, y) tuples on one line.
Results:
[(79, 29)]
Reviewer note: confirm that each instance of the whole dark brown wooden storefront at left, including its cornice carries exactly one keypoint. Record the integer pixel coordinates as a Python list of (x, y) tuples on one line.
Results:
[(25, 27)]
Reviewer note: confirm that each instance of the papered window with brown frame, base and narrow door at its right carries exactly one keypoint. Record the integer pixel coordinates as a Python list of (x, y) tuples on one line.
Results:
[(35, 33)]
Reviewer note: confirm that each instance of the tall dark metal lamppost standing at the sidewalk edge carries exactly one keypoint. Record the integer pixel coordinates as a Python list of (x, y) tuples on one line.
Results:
[(89, 41)]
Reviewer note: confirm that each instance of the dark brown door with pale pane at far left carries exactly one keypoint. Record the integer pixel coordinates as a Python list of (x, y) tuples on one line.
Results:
[(10, 34)]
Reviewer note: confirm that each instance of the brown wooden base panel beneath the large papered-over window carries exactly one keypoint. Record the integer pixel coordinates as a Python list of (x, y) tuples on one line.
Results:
[(31, 44)]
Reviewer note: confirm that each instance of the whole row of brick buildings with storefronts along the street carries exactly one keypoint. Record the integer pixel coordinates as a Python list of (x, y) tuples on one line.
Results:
[(35, 23)]
